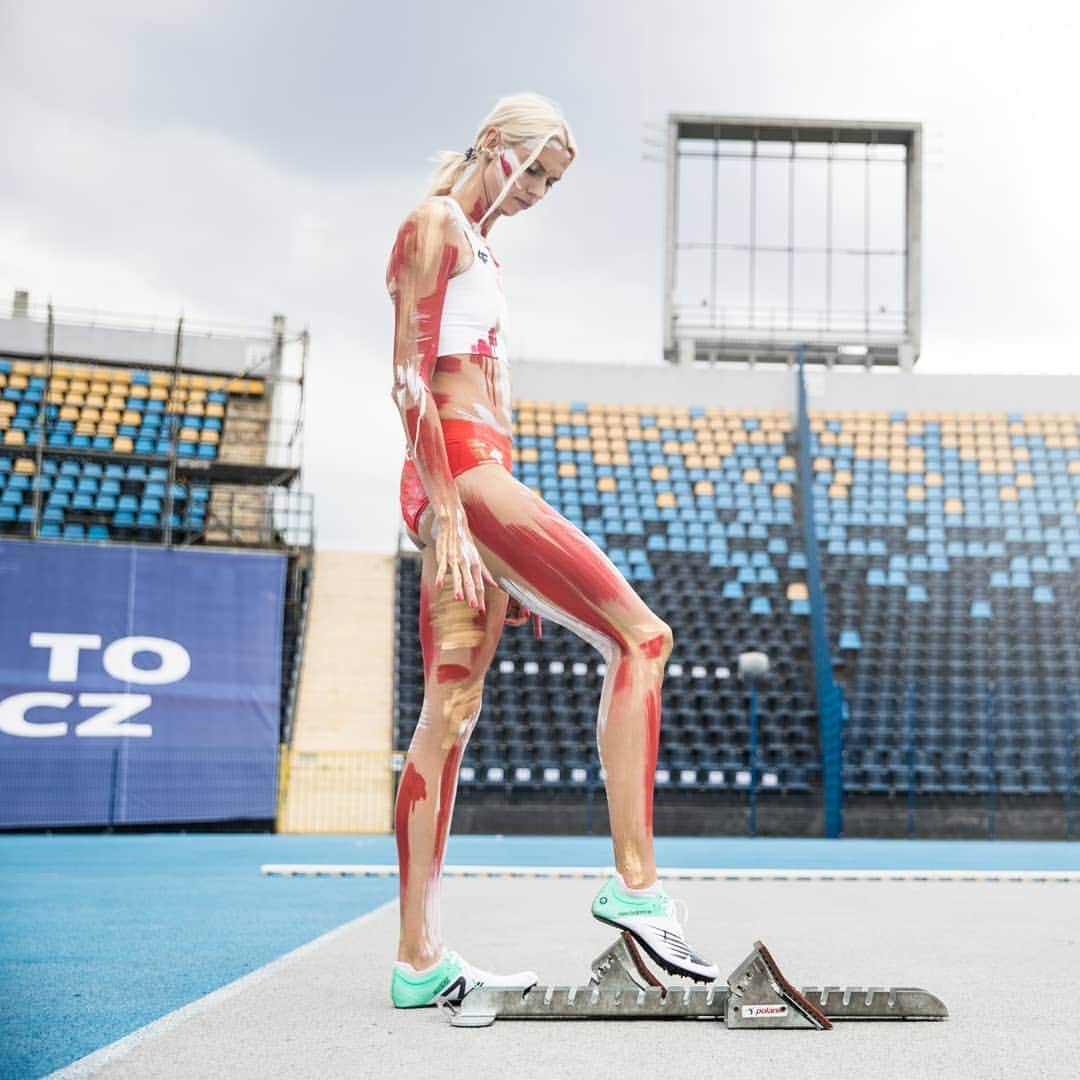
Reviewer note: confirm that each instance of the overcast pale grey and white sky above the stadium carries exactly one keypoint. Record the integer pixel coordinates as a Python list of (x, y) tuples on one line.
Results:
[(239, 158)]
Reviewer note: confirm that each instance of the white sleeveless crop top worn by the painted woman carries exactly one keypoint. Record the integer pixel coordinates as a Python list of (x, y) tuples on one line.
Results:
[(475, 310)]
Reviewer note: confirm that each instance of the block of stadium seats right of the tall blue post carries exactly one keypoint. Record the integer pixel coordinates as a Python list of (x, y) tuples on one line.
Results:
[(951, 543)]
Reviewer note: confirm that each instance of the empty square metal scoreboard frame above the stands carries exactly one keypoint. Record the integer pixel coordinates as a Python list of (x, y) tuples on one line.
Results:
[(732, 323)]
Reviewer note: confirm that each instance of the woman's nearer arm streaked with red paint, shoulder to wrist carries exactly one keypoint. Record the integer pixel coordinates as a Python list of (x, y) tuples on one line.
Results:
[(421, 266)]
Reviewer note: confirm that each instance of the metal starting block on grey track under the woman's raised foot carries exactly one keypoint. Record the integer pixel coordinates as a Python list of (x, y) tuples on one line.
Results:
[(757, 996)]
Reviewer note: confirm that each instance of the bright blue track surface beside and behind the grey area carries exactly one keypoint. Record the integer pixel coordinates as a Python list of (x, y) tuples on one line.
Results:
[(102, 935)]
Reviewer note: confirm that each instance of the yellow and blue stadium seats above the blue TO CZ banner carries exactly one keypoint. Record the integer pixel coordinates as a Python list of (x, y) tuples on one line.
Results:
[(112, 412)]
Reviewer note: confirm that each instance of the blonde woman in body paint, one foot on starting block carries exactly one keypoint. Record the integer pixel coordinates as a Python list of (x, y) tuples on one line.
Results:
[(495, 552)]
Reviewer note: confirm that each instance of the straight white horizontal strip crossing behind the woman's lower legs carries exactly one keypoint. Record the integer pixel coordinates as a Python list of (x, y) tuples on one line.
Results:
[(386, 871)]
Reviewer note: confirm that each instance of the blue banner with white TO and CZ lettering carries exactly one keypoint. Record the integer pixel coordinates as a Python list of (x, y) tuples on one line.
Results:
[(138, 684)]
